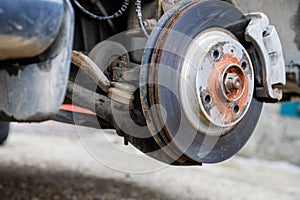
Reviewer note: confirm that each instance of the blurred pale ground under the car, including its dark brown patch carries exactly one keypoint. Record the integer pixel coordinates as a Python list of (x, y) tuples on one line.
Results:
[(50, 161)]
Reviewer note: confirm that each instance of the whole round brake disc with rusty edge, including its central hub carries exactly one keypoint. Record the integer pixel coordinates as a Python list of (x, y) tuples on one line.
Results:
[(198, 72)]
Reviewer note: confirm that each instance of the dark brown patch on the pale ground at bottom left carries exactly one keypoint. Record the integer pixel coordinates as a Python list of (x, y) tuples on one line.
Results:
[(27, 182)]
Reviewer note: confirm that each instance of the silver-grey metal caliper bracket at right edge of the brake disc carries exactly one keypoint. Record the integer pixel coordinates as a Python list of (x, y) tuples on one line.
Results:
[(266, 41)]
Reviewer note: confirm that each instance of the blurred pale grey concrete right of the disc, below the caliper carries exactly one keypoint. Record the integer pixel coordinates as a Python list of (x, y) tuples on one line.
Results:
[(275, 138)]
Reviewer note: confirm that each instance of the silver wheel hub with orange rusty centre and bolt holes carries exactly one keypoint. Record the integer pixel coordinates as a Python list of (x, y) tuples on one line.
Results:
[(220, 77)]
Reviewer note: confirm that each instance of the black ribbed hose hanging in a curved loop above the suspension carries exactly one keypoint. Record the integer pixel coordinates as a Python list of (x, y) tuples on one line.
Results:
[(118, 13)]
